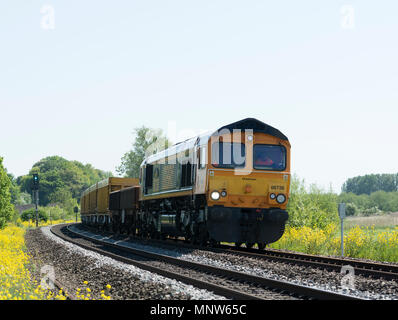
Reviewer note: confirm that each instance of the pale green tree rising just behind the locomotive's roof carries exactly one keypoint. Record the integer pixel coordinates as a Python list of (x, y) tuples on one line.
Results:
[(147, 142)]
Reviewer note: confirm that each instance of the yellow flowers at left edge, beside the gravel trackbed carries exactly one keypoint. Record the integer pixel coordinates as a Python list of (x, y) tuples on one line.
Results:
[(16, 282)]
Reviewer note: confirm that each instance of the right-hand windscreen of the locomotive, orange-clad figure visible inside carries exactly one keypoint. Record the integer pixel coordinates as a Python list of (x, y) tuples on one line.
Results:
[(269, 157)]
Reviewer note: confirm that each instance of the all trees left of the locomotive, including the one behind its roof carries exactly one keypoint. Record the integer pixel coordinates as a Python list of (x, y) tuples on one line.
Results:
[(62, 181)]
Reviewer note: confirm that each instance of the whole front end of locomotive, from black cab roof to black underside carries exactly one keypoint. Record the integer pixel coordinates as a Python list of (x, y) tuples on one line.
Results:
[(248, 183)]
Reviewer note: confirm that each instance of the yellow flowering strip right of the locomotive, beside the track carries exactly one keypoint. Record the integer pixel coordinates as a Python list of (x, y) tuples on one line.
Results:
[(359, 242)]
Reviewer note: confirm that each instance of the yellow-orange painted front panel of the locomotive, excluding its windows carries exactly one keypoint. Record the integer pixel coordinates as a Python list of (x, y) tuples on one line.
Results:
[(246, 186)]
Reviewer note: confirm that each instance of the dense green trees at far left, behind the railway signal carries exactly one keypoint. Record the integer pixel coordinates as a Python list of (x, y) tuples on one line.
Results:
[(61, 184)]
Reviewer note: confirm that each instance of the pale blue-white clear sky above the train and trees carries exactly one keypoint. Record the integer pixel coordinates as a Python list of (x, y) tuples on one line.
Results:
[(76, 78)]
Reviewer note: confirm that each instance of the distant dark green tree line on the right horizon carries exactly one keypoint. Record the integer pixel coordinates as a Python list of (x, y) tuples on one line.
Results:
[(370, 183)]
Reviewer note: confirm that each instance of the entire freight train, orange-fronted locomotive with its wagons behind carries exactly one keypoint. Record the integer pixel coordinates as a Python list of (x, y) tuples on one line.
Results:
[(231, 185)]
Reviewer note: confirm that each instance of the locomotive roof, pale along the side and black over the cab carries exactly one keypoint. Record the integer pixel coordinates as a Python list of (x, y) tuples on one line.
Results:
[(248, 123)]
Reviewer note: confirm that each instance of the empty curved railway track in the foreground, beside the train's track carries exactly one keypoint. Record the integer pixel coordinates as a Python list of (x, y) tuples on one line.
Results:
[(231, 284)]
